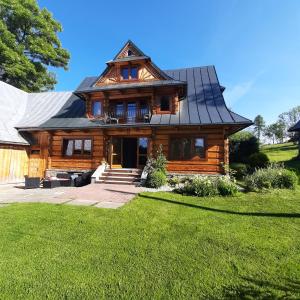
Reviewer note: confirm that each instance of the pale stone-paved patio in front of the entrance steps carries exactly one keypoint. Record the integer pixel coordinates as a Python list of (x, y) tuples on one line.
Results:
[(97, 195)]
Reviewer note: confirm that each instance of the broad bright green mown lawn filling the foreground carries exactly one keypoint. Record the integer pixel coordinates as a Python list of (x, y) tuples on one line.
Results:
[(159, 246)]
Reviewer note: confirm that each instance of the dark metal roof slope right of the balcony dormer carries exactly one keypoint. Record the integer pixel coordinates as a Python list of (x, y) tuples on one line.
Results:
[(204, 103)]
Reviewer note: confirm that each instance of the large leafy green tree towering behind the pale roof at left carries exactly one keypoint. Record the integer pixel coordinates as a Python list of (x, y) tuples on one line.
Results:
[(29, 45)]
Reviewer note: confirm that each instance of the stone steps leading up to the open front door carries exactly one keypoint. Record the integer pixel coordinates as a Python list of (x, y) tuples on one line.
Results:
[(120, 176)]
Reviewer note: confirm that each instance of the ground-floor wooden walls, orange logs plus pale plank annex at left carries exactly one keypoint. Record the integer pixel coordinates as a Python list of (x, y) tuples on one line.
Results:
[(17, 161)]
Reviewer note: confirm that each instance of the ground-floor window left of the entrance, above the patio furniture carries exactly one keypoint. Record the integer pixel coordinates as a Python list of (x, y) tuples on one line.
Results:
[(77, 147)]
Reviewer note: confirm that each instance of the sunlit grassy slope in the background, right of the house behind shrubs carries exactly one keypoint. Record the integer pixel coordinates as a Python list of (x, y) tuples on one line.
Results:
[(285, 153)]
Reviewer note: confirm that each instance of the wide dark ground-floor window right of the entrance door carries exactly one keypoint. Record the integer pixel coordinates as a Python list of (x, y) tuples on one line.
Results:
[(186, 148)]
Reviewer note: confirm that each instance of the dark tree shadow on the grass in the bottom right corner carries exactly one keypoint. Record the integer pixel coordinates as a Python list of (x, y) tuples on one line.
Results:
[(261, 289)]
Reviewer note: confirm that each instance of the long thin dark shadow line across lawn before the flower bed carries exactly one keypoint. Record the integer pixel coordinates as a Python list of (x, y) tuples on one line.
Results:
[(256, 214)]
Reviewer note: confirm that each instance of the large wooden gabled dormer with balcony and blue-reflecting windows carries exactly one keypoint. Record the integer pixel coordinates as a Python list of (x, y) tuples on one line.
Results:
[(132, 84)]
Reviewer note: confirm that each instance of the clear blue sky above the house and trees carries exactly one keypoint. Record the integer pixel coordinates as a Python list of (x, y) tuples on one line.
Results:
[(254, 44)]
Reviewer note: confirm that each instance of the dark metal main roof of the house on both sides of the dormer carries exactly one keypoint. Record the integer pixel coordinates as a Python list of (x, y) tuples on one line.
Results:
[(203, 105)]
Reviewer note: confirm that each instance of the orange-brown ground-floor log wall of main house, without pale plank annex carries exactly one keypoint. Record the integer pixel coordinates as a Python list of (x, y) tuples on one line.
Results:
[(216, 148)]
